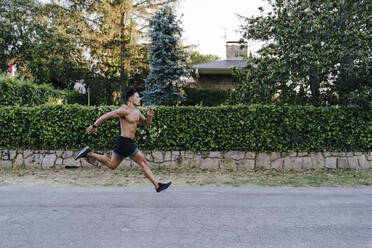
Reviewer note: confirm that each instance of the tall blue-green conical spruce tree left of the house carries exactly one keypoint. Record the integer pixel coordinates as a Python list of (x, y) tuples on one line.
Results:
[(168, 61)]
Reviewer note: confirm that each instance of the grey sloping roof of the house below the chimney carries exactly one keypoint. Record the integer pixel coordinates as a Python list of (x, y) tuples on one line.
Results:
[(221, 66)]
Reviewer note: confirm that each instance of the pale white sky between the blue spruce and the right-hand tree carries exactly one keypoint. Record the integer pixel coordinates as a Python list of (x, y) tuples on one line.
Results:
[(210, 23)]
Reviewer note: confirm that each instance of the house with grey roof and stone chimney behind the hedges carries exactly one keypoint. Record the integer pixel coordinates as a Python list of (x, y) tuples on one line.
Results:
[(218, 75)]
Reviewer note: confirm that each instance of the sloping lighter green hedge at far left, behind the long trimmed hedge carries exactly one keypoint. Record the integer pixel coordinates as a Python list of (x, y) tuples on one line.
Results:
[(26, 93)]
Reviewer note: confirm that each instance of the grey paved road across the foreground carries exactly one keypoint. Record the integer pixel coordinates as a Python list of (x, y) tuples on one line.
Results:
[(189, 217)]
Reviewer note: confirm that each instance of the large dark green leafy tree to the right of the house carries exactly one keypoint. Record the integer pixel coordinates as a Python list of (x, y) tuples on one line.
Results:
[(317, 52)]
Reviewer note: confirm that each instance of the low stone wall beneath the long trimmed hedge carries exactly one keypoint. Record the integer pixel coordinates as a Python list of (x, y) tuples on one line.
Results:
[(233, 160)]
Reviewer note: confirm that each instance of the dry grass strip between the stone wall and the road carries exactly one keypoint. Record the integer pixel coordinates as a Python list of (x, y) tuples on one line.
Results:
[(133, 177)]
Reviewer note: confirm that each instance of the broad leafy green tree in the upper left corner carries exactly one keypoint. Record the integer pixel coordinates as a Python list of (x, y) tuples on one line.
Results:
[(42, 41)]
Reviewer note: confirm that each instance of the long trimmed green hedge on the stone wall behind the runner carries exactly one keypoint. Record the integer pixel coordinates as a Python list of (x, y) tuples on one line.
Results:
[(249, 128)]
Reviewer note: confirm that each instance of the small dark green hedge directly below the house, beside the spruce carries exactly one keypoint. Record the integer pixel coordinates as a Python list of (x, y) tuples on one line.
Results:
[(205, 97)]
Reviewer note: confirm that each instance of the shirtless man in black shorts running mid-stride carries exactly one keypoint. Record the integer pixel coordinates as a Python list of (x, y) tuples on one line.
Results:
[(129, 117)]
